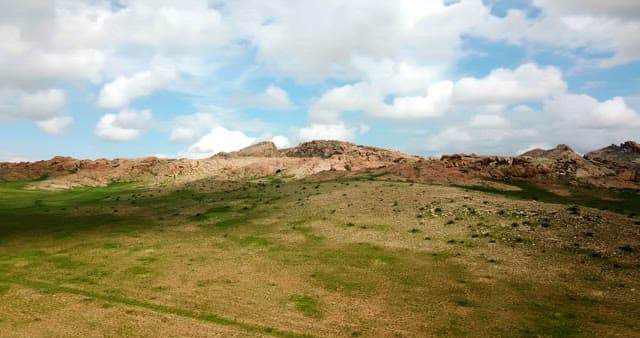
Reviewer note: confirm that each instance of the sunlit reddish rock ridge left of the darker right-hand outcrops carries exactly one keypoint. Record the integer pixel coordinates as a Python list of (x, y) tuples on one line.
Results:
[(259, 160)]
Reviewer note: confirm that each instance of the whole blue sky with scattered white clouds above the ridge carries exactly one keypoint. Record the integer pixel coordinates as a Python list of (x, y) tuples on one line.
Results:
[(187, 79)]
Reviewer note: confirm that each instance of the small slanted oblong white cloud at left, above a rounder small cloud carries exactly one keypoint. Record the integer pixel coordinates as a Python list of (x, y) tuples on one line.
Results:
[(122, 90)]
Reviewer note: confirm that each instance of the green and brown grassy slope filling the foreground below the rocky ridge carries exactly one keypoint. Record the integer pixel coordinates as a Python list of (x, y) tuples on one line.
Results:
[(287, 258)]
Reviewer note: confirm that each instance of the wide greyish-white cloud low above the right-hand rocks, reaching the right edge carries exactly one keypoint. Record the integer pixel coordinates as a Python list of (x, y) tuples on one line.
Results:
[(579, 120)]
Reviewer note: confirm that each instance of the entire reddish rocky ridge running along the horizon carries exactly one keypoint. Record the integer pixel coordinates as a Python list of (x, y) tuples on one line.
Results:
[(613, 166)]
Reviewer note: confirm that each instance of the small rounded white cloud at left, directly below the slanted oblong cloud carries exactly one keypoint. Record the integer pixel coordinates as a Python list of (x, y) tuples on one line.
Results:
[(126, 125)]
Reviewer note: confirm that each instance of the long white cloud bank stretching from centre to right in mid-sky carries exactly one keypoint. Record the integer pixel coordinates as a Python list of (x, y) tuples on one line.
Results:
[(526, 83)]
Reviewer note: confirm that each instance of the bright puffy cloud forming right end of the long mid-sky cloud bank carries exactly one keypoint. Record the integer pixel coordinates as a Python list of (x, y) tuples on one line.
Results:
[(527, 83)]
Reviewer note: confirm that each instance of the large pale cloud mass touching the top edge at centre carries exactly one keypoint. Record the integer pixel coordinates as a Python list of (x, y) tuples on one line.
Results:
[(297, 38)]
